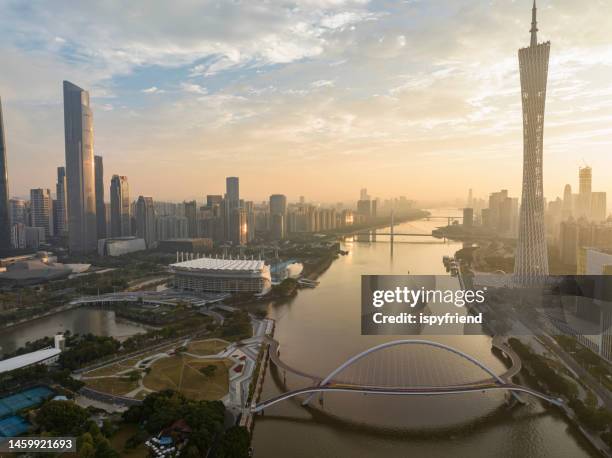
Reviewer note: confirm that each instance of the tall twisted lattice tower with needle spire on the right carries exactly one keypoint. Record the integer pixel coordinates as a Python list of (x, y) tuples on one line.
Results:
[(531, 259)]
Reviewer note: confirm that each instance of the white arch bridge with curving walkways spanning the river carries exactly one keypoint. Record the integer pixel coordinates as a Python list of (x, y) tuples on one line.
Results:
[(331, 383)]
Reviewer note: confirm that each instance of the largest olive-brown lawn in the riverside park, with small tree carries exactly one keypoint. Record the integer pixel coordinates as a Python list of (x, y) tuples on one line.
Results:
[(182, 373)]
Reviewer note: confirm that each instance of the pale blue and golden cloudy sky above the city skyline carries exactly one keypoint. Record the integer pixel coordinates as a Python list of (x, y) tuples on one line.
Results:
[(315, 97)]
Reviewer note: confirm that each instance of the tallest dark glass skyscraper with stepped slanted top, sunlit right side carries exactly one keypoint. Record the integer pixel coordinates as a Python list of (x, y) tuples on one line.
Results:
[(80, 185)]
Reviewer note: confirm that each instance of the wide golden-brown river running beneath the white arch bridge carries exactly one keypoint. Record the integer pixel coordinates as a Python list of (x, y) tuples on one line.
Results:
[(320, 328)]
